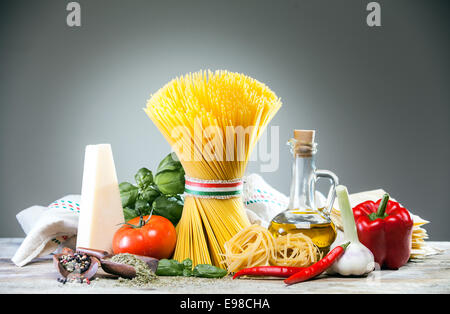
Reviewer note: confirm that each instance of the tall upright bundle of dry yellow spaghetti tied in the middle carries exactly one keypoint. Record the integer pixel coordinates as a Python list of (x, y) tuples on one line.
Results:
[(212, 120)]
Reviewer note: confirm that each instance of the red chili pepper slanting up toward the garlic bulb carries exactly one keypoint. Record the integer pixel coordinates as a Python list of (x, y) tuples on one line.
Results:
[(319, 267)]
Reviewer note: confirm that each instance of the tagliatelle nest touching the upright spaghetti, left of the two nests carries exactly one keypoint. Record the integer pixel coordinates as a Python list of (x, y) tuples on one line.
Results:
[(252, 246)]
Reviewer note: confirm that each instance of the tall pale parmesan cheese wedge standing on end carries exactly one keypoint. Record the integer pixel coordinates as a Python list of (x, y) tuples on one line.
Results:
[(101, 213)]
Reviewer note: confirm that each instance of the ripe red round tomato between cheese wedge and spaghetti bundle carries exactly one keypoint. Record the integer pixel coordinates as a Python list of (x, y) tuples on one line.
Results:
[(156, 238)]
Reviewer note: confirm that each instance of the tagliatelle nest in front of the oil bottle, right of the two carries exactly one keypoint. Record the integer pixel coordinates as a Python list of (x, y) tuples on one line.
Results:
[(296, 250)]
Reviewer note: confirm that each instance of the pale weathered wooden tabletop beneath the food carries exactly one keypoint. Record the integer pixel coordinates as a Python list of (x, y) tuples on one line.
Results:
[(430, 275)]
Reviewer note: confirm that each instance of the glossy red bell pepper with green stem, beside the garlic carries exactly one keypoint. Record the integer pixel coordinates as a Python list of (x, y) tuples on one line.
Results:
[(385, 228)]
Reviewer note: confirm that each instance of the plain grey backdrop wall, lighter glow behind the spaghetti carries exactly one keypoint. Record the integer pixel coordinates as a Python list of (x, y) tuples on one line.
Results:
[(378, 97)]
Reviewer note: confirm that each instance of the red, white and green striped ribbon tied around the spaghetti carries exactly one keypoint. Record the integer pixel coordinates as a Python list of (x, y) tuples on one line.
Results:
[(220, 189)]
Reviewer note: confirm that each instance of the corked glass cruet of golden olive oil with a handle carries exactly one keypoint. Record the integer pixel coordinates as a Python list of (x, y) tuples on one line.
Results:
[(302, 215)]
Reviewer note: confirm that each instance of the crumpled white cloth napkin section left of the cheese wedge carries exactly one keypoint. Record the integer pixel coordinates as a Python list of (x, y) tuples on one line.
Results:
[(47, 228)]
